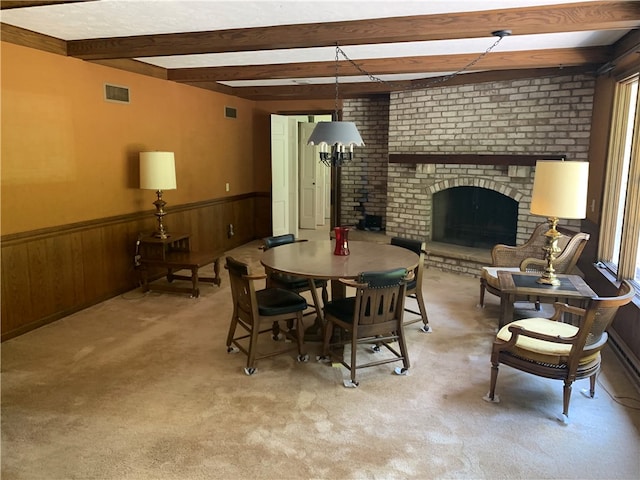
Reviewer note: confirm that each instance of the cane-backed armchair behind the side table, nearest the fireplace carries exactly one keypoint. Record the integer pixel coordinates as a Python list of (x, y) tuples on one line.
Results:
[(530, 257)]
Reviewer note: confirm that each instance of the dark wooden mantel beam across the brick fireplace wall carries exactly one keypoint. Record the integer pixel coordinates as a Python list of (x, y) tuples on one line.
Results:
[(471, 158)]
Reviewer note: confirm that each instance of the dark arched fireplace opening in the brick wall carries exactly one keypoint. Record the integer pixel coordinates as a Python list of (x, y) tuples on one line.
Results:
[(474, 217)]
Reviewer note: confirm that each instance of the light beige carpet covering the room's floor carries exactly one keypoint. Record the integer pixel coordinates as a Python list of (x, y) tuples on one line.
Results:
[(141, 387)]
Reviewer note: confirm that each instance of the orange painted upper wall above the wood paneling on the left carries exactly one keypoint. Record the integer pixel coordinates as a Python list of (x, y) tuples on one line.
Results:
[(70, 156)]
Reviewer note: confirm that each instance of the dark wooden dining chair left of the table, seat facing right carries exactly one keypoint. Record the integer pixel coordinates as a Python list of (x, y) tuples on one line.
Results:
[(253, 308)]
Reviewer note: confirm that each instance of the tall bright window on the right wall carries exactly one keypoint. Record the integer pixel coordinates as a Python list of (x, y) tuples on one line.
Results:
[(619, 245)]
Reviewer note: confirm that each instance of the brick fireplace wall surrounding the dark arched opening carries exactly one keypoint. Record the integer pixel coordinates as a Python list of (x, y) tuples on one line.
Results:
[(544, 117)]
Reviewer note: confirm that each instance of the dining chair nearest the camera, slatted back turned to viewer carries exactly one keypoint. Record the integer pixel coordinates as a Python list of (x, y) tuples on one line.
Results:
[(373, 316)]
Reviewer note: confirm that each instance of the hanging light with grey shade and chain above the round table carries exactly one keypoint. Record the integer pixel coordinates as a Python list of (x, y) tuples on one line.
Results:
[(336, 139)]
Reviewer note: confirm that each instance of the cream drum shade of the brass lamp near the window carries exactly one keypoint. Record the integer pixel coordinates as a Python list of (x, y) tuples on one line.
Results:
[(560, 189)]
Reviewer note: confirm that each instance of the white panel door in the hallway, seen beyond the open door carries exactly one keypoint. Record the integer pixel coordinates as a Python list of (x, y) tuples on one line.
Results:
[(308, 195)]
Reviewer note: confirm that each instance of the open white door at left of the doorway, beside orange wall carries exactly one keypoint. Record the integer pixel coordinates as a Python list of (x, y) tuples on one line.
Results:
[(280, 220)]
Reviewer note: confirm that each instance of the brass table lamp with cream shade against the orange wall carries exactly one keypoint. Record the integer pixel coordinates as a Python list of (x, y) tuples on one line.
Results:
[(158, 172)]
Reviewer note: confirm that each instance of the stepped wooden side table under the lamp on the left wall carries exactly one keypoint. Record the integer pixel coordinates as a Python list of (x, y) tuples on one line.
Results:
[(174, 254)]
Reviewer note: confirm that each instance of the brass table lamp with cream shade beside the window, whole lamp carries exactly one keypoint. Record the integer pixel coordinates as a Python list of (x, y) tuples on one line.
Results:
[(559, 191)]
